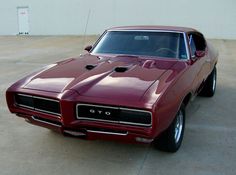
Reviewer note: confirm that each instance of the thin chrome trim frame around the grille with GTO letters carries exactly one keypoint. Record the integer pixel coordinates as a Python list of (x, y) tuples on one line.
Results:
[(112, 121)]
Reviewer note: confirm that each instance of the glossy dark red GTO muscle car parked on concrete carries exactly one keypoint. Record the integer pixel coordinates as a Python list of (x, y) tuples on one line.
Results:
[(133, 85)]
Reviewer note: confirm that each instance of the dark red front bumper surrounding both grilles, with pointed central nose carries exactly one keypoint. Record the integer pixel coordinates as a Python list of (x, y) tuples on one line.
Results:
[(69, 124)]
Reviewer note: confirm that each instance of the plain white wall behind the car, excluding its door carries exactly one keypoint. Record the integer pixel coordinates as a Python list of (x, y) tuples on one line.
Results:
[(214, 18)]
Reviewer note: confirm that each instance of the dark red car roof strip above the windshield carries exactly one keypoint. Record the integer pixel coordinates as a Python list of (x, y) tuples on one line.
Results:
[(167, 28)]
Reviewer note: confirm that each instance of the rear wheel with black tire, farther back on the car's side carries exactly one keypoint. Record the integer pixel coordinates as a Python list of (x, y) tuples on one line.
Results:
[(209, 87)]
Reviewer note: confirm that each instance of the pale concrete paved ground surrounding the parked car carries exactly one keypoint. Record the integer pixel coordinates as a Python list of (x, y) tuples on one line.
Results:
[(209, 146)]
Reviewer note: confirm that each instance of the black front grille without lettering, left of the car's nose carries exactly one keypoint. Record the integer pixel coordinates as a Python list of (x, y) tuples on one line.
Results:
[(40, 104)]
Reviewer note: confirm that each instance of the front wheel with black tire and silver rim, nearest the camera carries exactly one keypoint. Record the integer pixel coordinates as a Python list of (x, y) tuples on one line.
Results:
[(171, 139)]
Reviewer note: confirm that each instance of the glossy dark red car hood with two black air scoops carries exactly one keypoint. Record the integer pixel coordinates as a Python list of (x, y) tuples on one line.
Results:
[(111, 77)]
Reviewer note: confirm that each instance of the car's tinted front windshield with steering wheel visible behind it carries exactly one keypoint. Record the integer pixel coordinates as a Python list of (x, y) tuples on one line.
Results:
[(148, 43)]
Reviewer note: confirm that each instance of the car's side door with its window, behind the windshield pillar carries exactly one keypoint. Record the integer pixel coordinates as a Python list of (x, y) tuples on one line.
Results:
[(200, 64)]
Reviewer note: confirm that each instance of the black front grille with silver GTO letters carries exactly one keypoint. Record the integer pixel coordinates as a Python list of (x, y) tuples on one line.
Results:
[(114, 115)]
